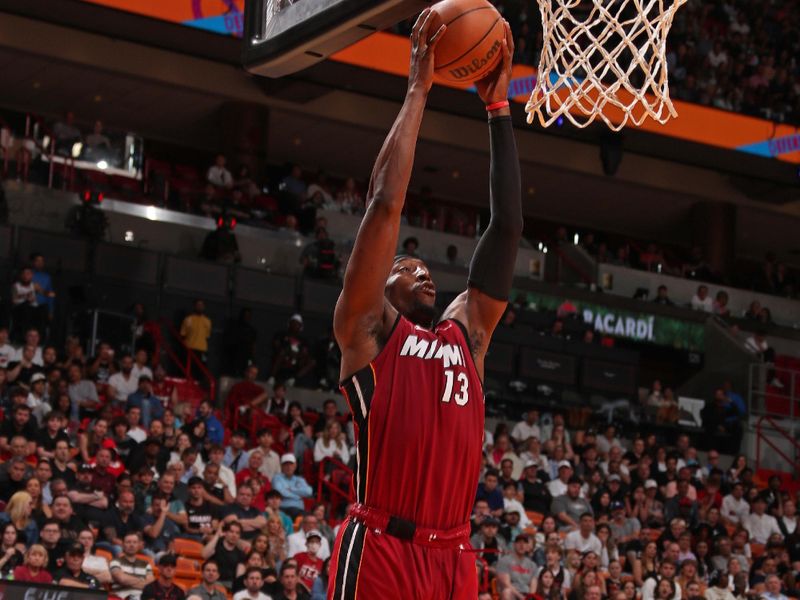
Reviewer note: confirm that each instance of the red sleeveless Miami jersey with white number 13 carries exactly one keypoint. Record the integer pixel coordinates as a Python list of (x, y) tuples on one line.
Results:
[(419, 413)]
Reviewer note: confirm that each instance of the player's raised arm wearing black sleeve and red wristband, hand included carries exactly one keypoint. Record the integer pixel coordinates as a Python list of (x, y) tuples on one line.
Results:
[(492, 268)]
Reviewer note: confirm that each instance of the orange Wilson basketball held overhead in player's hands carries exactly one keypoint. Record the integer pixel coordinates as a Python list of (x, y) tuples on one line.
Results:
[(473, 42)]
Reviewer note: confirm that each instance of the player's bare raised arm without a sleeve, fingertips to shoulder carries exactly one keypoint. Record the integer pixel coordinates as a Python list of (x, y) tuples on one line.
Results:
[(362, 316)]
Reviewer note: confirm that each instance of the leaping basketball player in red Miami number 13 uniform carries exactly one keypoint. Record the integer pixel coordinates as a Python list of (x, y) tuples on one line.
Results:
[(413, 382)]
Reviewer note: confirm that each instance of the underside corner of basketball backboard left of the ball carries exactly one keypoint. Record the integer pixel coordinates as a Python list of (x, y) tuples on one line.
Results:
[(286, 36)]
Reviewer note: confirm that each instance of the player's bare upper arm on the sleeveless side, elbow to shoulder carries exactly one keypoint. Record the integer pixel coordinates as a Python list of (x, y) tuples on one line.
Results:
[(361, 304)]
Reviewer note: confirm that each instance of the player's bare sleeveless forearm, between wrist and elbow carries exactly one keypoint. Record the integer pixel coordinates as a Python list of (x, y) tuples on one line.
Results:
[(392, 171)]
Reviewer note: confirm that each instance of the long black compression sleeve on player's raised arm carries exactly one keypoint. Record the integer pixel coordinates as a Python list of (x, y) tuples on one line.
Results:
[(492, 267)]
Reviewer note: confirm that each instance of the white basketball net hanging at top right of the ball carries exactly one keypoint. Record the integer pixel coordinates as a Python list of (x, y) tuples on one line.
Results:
[(603, 59)]
